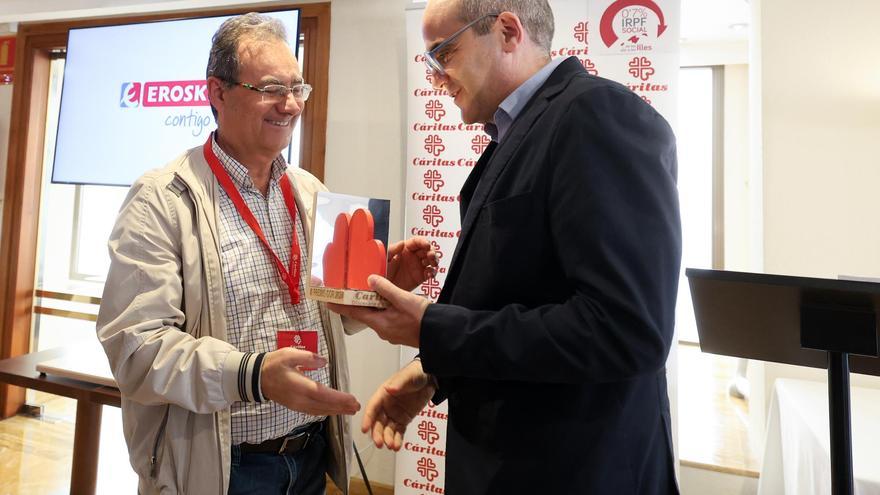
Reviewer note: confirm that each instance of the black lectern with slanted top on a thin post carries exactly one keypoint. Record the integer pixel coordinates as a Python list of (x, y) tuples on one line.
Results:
[(820, 323)]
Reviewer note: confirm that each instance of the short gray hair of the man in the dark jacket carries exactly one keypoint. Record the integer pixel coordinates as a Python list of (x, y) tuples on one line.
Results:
[(536, 16)]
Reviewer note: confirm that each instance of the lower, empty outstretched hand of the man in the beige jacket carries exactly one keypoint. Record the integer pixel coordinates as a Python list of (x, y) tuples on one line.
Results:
[(282, 381)]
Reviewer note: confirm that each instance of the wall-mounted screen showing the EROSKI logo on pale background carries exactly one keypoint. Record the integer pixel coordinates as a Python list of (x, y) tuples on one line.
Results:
[(134, 97)]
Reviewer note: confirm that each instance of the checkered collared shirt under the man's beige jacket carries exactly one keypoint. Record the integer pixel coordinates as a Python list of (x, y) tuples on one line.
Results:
[(257, 301)]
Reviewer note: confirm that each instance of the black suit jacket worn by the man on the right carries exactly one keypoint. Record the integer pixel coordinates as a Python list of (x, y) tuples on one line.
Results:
[(552, 330)]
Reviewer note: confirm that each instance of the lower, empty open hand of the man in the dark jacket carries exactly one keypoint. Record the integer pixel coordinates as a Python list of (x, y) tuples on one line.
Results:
[(396, 403)]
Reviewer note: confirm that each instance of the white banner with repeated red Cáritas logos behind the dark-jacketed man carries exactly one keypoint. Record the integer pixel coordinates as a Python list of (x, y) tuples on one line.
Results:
[(634, 42)]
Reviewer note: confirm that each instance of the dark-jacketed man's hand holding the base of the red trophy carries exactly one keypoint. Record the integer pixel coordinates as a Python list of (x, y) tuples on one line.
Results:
[(400, 323)]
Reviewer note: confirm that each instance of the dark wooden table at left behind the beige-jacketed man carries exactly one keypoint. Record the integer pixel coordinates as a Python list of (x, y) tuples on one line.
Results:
[(90, 397)]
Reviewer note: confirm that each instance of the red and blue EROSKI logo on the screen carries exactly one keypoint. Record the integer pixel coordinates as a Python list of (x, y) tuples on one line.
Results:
[(164, 94)]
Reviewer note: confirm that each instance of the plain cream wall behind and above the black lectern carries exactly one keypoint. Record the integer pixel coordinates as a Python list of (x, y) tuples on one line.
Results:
[(821, 121)]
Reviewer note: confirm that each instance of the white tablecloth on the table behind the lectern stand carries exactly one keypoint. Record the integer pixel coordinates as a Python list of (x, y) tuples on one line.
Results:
[(797, 450)]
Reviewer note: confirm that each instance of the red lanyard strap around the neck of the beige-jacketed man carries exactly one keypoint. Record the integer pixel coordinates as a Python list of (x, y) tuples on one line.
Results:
[(289, 277)]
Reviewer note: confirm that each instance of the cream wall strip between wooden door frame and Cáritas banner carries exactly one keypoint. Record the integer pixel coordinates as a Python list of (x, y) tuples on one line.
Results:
[(365, 153)]
